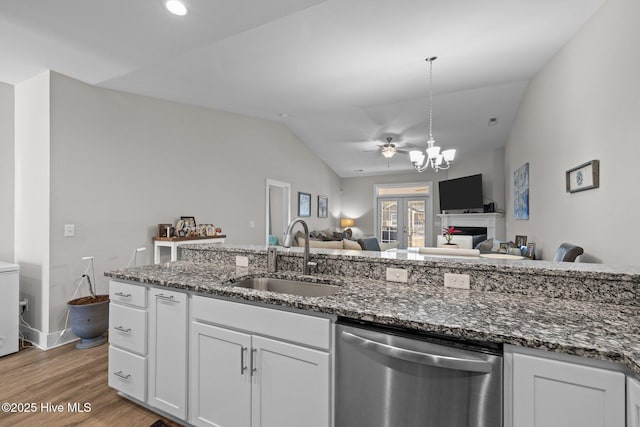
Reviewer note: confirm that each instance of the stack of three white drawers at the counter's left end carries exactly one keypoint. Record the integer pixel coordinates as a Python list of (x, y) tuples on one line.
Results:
[(128, 339)]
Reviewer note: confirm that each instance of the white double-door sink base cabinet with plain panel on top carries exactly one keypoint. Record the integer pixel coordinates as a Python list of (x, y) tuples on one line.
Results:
[(249, 369)]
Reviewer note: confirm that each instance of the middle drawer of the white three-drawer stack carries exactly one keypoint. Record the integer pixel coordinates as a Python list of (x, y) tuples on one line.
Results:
[(128, 328)]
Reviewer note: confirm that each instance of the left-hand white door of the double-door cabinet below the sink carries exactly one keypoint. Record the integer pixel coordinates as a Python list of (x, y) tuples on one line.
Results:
[(220, 377)]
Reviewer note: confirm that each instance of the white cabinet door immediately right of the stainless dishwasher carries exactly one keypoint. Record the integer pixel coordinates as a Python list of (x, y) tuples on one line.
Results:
[(551, 393)]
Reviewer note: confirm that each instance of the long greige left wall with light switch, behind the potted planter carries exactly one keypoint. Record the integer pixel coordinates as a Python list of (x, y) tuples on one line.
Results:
[(122, 163)]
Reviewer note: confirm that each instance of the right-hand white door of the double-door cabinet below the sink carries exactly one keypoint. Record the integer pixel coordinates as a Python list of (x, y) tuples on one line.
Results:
[(290, 385)]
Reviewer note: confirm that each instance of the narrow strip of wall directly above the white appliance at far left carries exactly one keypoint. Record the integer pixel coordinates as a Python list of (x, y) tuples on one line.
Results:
[(7, 180)]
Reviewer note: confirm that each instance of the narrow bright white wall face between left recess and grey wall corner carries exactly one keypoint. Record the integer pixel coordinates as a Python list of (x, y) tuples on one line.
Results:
[(32, 196)]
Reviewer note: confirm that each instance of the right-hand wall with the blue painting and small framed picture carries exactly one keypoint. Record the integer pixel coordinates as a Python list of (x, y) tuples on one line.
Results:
[(583, 105)]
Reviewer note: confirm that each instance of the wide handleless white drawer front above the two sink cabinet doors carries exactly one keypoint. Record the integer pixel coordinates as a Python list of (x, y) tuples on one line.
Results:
[(298, 328)]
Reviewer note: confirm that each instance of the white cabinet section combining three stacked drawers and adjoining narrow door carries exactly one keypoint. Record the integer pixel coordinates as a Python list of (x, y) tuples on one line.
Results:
[(148, 345)]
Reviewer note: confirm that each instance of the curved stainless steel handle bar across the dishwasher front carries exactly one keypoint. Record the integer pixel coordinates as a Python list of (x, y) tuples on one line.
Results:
[(460, 364)]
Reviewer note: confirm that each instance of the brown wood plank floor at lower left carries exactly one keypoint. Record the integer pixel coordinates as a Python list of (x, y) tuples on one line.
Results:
[(65, 376)]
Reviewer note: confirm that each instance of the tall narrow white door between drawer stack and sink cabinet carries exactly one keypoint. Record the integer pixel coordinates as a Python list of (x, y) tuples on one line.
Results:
[(168, 351)]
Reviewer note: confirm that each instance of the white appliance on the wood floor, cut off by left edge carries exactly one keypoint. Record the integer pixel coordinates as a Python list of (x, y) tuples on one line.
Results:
[(9, 301)]
